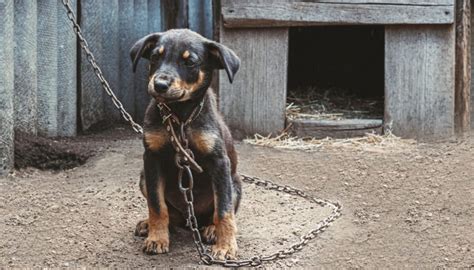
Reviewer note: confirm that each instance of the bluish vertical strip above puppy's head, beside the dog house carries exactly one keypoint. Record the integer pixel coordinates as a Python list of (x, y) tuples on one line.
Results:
[(201, 17)]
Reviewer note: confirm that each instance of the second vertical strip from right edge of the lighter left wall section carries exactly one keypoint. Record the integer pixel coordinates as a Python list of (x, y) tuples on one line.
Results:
[(47, 58)]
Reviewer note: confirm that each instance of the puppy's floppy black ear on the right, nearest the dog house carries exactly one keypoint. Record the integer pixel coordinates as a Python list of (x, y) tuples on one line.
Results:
[(224, 58)]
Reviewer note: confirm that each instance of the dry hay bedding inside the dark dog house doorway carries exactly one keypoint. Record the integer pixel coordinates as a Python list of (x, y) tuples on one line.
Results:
[(331, 104)]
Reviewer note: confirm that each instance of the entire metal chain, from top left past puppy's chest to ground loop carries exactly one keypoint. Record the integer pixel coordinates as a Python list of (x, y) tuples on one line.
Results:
[(184, 162)]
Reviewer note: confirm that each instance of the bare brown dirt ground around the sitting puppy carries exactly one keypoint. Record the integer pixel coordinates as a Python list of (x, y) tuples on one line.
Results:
[(406, 208)]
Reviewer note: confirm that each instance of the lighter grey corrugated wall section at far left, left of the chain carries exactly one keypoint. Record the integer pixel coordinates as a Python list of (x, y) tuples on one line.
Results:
[(38, 72)]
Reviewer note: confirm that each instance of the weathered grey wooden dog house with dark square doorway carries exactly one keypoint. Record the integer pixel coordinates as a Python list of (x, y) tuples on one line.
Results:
[(416, 48)]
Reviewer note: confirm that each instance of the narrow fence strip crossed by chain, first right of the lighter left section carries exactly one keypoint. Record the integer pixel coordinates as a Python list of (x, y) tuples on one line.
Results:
[(92, 109)]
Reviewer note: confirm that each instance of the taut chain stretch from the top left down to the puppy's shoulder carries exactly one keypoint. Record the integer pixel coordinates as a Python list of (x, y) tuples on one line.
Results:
[(98, 72)]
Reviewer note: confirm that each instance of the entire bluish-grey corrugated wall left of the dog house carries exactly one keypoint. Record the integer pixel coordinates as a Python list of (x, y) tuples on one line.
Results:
[(43, 84)]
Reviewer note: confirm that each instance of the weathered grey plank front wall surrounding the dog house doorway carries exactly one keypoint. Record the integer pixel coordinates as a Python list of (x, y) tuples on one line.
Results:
[(419, 59)]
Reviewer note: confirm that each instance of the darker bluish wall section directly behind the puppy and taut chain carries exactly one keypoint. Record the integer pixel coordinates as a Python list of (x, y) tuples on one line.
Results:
[(111, 29)]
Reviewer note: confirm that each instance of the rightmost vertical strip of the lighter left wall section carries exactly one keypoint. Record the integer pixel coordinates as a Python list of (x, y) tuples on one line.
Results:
[(67, 73)]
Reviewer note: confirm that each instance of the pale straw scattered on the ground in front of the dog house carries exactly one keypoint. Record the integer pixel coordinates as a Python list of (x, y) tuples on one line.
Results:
[(370, 142)]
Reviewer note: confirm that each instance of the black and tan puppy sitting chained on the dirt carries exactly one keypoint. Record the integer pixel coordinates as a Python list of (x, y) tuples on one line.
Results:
[(181, 63)]
